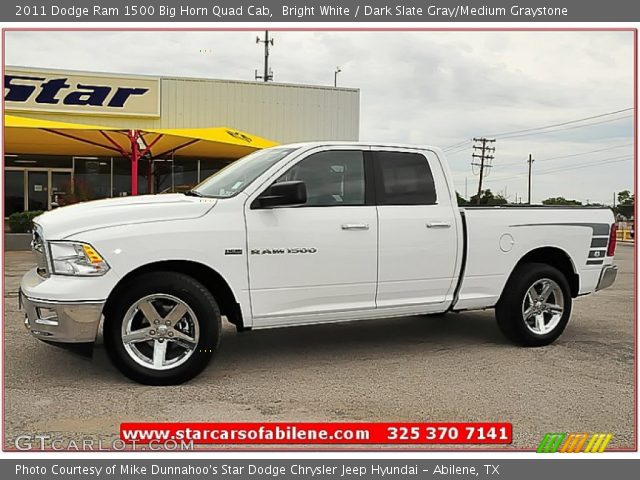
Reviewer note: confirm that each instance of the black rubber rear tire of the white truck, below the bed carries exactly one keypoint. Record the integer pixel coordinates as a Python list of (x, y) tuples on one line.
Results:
[(514, 301)]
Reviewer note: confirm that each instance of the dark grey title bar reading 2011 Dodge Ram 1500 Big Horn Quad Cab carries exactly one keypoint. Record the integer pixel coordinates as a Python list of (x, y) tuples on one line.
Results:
[(319, 11)]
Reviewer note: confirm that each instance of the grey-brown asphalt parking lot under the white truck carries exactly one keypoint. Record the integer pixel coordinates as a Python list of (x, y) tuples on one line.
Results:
[(451, 368)]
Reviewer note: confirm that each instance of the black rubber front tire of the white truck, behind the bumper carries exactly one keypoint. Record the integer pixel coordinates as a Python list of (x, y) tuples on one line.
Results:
[(161, 287)]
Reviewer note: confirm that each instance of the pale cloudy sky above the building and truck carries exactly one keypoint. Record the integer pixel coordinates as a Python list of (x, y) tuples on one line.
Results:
[(437, 88)]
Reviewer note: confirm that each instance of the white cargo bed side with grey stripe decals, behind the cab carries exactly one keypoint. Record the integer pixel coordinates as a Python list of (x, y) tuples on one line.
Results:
[(498, 238)]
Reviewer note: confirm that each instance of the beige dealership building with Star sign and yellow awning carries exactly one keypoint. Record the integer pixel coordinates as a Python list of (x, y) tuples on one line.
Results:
[(72, 136)]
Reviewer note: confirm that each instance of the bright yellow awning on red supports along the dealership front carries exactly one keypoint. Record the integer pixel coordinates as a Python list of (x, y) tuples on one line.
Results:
[(24, 135)]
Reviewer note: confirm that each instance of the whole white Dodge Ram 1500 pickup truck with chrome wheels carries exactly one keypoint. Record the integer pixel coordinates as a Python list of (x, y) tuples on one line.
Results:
[(302, 234)]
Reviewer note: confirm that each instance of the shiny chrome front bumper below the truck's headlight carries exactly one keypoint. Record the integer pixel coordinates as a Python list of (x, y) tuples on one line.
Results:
[(60, 321)]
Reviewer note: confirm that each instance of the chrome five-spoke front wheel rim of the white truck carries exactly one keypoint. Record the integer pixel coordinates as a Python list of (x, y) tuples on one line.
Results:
[(160, 332)]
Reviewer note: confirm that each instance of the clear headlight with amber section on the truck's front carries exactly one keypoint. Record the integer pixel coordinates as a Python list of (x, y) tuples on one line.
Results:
[(76, 258)]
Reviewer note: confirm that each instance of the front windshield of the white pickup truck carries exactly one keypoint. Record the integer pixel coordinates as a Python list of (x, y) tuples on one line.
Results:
[(236, 176)]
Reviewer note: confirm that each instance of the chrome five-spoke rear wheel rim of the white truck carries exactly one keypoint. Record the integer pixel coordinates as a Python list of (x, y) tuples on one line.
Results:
[(543, 306)]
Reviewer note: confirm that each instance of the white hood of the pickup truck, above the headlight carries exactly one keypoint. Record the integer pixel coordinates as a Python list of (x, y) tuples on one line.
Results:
[(63, 222)]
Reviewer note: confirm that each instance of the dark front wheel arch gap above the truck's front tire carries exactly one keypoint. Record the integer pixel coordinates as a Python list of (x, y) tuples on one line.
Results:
[(211, 279)]
